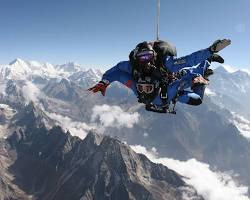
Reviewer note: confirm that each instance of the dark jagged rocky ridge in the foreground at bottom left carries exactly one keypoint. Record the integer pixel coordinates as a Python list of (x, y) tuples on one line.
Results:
[(52, 164)]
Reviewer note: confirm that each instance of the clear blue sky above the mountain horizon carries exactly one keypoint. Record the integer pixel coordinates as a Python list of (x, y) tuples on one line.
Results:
[(100, 33)]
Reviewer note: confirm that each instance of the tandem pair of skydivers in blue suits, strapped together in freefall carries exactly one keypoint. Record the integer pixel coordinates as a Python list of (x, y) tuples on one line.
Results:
[(159, 79)]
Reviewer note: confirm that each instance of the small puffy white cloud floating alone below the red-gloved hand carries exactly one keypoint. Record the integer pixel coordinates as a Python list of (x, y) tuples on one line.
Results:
[(114, 116)]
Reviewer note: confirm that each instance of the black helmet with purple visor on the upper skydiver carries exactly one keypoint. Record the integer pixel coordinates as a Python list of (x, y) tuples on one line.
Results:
[(144, 53)]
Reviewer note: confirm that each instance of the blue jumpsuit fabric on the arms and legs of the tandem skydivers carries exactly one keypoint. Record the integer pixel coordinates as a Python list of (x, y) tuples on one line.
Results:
[(122, 72)]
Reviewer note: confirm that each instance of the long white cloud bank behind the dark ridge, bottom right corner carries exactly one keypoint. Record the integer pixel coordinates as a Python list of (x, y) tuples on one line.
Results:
[(211, 185)]
